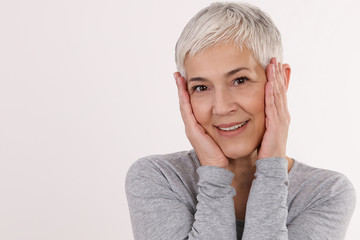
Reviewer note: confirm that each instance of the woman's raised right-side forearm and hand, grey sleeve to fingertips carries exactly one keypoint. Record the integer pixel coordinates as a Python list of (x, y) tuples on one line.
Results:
[(266, 210)]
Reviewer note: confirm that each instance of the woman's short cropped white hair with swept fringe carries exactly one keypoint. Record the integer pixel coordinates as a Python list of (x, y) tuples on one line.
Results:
[(222, 23)]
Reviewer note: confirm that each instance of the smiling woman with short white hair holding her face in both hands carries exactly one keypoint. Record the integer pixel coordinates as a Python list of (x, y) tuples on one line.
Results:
[(237, 183)]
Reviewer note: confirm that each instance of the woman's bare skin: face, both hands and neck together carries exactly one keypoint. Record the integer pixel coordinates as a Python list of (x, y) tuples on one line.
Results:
[(226, 86)]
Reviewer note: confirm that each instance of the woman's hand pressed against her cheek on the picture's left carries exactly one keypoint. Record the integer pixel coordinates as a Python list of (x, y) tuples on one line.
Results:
[(207, 150)]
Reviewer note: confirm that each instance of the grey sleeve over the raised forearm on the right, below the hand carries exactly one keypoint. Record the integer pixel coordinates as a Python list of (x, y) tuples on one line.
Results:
[(266, 210)]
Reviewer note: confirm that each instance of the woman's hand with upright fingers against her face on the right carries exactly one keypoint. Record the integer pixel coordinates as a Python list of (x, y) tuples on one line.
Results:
[(276, 111)]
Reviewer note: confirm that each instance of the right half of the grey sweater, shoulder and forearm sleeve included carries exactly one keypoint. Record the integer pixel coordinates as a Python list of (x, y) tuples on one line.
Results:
[(314, 204)]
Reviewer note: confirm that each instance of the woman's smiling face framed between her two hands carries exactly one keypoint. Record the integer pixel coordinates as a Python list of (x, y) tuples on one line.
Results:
[(226, 88)]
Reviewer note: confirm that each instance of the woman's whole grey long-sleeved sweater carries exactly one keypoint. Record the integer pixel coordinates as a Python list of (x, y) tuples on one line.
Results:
[(173, 197)]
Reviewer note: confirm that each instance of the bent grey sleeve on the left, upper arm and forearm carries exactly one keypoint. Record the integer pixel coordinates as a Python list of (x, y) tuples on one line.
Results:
[(158, 210)]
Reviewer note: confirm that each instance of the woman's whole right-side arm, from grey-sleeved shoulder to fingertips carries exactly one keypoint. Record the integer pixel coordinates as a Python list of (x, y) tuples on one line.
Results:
[(327, 213)]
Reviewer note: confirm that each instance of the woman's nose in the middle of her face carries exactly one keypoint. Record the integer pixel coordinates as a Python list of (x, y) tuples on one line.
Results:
[(224, 103)]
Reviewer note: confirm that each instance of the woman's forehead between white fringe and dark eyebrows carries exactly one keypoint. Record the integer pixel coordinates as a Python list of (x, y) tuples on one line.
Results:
[(219, 60)]
